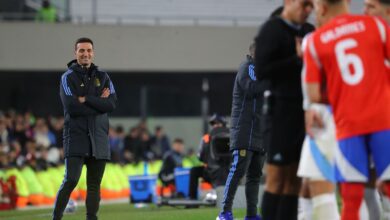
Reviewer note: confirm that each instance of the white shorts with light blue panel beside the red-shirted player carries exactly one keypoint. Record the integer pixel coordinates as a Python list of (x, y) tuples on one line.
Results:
[(317, 156)]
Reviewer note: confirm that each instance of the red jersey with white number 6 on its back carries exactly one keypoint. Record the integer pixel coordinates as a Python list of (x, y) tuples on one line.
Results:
[(349, 53)]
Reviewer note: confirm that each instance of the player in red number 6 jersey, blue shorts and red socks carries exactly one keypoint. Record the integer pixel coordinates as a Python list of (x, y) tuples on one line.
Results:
[(348, 54)]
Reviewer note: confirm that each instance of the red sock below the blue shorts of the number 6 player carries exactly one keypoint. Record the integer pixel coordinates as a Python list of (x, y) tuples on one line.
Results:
[(352, 195)]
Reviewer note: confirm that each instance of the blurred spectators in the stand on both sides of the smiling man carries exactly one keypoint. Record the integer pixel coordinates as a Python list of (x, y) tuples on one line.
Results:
[(26, 139)]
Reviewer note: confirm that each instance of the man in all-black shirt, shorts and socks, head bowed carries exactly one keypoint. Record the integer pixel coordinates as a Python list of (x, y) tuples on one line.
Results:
[(279, 61)]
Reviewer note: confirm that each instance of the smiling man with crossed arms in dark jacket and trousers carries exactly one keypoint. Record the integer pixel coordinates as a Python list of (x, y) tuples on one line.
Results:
[(87, 95)]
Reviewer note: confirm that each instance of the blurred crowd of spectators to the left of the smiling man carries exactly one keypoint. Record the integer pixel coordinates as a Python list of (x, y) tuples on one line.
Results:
[(29, 140)]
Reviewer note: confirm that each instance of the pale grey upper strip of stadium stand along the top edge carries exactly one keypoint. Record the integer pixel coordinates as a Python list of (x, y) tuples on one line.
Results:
[(177, 12)]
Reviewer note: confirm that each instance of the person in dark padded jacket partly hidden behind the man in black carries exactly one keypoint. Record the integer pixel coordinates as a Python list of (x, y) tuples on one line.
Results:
[(245, 140)]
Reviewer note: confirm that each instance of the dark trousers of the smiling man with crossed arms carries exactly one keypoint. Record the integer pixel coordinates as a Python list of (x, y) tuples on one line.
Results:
[(73, 166)]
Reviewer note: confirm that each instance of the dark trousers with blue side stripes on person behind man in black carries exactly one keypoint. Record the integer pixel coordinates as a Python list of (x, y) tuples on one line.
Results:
[(249, 163)]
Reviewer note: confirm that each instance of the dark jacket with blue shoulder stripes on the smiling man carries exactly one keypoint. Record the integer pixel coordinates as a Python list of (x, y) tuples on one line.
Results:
[(86, 124)]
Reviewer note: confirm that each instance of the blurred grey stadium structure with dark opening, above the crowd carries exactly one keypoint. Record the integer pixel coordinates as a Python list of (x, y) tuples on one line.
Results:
[(173, 62)]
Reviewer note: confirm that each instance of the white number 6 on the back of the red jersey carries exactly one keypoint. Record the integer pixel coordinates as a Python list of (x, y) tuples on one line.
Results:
[(351, 76)]
